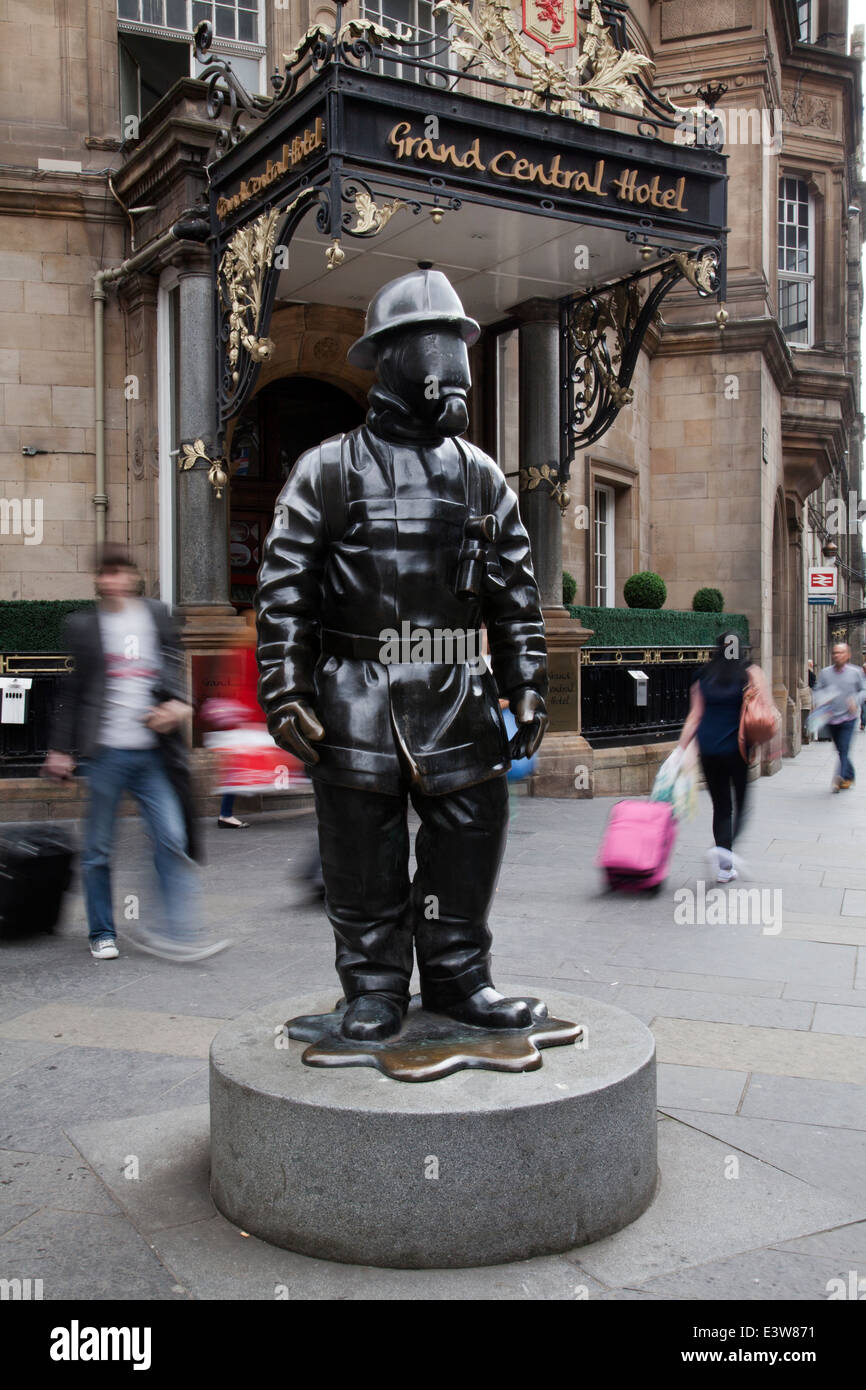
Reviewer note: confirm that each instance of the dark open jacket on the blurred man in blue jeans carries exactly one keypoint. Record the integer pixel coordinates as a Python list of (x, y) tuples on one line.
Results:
[(83, 697)]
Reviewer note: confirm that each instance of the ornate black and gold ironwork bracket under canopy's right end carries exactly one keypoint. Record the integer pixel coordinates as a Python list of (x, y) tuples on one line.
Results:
[(601, 336)]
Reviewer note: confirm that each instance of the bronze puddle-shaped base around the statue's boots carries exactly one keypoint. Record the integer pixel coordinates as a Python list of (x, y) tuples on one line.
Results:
[(432, 1046)]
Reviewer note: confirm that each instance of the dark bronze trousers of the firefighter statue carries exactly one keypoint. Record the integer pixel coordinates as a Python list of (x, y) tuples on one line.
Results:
[(375, 910)]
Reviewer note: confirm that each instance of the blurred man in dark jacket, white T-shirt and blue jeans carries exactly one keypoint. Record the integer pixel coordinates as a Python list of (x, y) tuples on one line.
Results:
[(123, 712)]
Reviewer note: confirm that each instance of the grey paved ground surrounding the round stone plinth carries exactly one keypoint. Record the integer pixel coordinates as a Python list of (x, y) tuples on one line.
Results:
[(760, 1027)]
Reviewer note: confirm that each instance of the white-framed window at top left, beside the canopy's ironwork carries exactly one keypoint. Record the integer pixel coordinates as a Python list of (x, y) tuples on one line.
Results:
[(156, 48)]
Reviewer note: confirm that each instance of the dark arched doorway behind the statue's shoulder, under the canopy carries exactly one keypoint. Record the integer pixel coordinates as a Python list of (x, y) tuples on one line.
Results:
[(280, 423)]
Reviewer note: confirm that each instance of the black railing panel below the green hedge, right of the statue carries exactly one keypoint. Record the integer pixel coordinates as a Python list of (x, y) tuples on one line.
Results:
[(610, 710)]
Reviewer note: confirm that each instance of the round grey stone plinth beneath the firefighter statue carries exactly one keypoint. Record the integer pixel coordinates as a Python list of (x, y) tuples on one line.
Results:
[(477, 1168)]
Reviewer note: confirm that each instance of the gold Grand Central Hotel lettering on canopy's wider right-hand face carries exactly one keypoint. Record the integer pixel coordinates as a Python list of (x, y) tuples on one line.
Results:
[(508, 165)]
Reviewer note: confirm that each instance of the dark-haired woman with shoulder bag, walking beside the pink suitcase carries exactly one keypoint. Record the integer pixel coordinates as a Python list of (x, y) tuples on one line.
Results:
[(730, 714)]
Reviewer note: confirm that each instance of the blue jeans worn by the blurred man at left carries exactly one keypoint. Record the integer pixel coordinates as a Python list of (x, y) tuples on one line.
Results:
[(140, 772)]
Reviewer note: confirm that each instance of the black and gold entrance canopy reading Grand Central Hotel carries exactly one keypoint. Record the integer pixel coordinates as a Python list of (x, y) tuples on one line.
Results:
[(479, 151)]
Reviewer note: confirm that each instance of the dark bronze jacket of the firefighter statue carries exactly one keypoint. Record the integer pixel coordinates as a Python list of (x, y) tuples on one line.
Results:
[(368, 537)]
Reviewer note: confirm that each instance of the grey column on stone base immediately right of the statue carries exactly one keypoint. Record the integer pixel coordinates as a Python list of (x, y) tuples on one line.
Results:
[(565, 761)]
